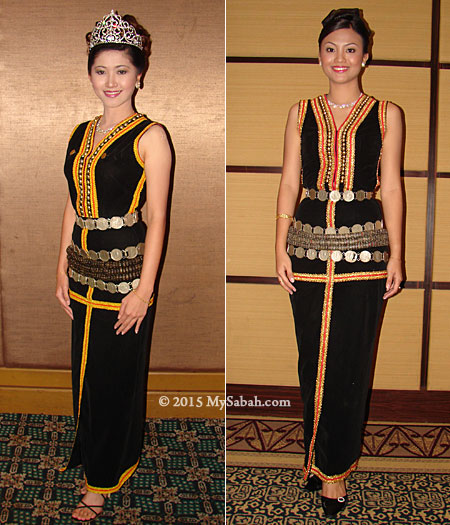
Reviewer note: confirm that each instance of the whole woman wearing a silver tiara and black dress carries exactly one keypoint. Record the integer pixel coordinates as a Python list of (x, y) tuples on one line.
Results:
[(109, 260)]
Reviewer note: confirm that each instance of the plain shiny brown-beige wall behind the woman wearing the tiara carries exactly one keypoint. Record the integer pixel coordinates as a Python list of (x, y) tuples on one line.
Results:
[(45, 93)]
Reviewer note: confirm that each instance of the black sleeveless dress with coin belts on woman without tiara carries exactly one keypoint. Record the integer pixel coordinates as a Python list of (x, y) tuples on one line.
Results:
[(339, 249)]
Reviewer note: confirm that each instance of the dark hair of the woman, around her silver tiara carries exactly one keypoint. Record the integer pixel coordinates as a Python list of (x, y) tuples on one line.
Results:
[(138, 58)]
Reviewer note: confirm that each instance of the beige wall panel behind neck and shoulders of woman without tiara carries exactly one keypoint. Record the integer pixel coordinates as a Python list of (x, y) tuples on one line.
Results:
[(260, 95)]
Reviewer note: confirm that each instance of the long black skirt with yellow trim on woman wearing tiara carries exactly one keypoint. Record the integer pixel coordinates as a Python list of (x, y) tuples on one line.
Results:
[(109, 382)]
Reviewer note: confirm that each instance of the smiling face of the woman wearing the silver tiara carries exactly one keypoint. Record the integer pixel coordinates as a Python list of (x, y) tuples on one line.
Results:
[(113, 77)]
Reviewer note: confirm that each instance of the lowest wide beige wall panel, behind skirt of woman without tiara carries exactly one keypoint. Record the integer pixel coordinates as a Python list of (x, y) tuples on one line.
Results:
[(266, 354)]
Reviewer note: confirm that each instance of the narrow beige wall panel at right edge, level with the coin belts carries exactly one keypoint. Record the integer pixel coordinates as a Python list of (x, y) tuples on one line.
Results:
[(442, 234)]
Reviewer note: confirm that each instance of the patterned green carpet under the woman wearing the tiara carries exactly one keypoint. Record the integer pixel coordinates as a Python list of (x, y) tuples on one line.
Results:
[(180, 479)]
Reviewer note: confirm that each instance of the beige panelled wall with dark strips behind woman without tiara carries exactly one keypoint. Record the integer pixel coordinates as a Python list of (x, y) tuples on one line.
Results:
[(259, 319)]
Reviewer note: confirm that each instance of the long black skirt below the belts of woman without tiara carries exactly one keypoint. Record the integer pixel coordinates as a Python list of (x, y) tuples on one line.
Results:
[(336, 326)]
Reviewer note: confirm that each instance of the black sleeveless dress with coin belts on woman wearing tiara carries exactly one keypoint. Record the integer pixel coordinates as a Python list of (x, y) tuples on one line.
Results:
[(107, 189)]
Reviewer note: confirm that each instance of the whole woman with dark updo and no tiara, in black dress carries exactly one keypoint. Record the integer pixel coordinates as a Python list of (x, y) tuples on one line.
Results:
[(338, 253)]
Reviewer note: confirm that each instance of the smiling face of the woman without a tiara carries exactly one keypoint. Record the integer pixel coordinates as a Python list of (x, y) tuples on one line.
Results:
[(341, 55)]
